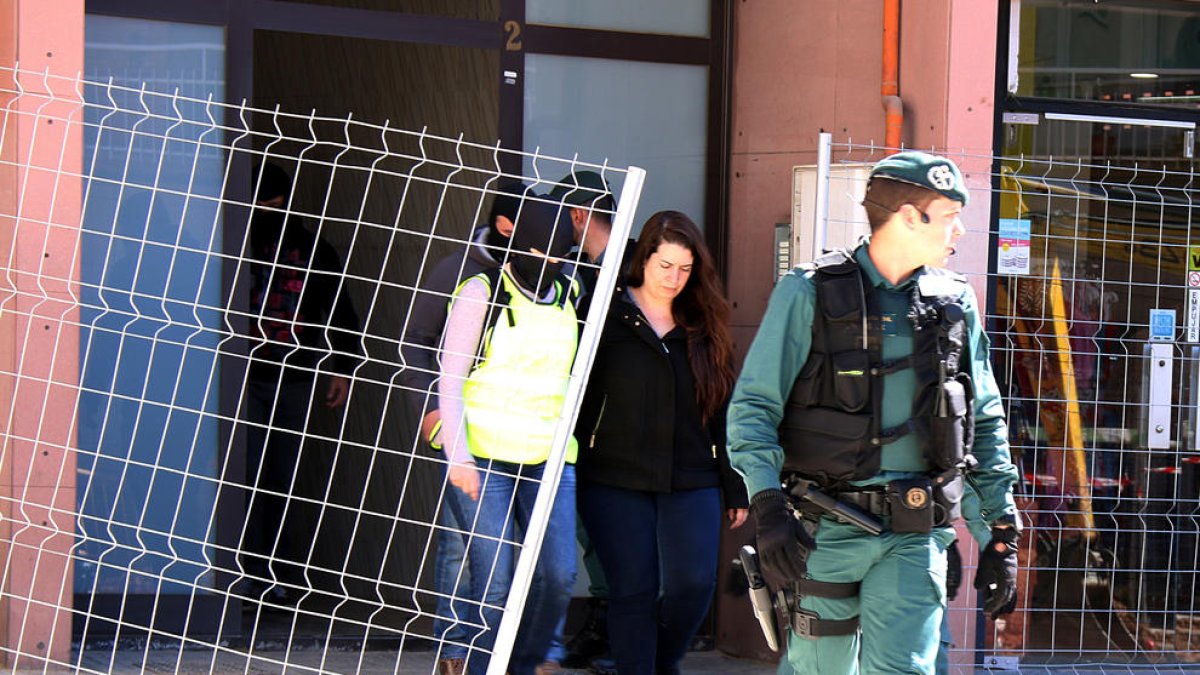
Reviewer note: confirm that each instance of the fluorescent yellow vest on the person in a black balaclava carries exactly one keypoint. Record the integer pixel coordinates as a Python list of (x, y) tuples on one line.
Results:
[(514, 396)]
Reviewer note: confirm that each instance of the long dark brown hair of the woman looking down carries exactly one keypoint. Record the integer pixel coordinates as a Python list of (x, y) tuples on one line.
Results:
[(701, 308)]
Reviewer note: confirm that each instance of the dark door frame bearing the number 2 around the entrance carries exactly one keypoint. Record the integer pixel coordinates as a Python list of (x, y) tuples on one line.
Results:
[(513, 39)]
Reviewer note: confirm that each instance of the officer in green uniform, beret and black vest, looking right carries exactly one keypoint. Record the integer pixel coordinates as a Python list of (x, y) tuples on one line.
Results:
[(869, 384)]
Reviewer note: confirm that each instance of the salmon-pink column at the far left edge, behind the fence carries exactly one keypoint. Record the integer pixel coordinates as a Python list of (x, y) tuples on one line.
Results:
[(40, 219)]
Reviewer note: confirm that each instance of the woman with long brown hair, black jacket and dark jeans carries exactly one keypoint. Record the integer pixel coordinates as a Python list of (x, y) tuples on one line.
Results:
[(653, 471)]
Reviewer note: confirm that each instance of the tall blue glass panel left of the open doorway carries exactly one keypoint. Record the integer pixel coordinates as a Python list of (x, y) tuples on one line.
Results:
[(148, 468)]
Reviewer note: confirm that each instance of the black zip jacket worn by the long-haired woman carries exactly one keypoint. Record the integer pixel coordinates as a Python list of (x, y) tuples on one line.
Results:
[(634, 429)]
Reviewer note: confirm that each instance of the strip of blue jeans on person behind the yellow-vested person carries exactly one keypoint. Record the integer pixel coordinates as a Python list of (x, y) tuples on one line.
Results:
[(452, 580)]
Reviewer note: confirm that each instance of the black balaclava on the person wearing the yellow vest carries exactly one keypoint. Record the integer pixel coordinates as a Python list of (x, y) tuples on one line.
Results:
[(548, 229)]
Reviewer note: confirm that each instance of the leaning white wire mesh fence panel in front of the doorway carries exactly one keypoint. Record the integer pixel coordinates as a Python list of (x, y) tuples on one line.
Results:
[(214, 435)]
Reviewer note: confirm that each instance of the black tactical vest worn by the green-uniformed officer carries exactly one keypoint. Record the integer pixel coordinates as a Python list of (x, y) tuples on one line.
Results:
[(831, 429)]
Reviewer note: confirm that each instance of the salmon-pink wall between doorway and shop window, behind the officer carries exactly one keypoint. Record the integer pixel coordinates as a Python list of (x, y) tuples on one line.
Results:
[(806, 68)]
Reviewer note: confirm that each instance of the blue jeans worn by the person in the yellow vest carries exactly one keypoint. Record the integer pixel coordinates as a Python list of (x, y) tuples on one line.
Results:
[(501, 518)]
